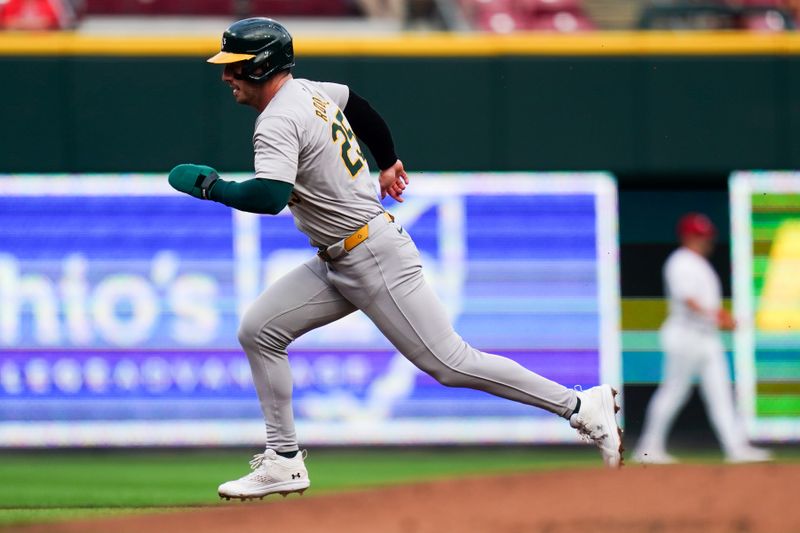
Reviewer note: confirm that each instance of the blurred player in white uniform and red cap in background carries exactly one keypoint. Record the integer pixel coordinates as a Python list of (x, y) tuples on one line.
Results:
[(692, 347)]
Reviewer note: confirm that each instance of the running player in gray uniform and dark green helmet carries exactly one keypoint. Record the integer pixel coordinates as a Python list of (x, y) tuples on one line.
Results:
[(308, 157)]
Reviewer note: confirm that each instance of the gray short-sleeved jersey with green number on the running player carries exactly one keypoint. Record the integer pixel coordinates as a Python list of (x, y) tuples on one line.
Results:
[(303, 138)]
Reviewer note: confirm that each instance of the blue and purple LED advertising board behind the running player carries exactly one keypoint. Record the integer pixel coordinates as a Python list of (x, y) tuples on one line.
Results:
[(120, 301)]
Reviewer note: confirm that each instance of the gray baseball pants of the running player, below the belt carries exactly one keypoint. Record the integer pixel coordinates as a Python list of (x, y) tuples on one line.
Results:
[(382, 277)]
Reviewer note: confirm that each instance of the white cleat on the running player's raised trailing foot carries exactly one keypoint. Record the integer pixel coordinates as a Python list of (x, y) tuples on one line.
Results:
[(597, 422)]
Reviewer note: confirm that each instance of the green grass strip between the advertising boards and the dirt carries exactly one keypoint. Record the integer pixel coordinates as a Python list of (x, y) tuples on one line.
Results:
[(59, 485)]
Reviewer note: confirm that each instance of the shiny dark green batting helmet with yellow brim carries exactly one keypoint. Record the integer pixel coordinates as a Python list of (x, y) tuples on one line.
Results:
[(263, 44)]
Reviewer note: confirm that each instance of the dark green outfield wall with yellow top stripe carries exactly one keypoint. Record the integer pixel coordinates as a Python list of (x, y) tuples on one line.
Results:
[(629, 103)]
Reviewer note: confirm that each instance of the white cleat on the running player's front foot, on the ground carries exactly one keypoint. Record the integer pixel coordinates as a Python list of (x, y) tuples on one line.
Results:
[(271, 474)]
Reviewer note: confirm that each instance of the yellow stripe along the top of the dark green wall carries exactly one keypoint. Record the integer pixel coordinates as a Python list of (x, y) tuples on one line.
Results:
[(421, 45)]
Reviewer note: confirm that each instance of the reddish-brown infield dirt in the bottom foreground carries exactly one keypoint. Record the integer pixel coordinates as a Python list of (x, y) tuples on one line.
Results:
[(708, 499)]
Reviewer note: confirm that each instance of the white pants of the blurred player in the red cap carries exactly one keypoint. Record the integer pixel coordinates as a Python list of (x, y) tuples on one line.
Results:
[(691, 351)]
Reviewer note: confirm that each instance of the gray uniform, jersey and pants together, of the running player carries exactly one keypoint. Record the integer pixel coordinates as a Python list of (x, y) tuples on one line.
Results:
[(303, 138)]
